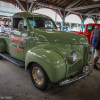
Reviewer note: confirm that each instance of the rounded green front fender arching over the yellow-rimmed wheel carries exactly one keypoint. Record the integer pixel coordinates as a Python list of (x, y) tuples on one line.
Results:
[(52, 62)]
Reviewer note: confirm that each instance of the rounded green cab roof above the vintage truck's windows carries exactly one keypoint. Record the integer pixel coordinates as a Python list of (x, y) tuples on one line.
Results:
[(27, 14)]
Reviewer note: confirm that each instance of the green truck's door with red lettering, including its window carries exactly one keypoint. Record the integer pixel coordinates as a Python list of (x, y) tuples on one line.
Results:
[(19, 41)]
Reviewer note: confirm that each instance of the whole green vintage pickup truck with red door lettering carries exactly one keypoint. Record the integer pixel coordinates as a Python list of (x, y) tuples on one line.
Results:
[(52, 56)]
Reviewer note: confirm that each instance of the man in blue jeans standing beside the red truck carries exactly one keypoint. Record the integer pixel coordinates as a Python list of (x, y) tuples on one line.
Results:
[(94, 36)]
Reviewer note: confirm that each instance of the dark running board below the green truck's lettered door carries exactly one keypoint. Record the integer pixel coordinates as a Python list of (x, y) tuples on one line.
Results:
[(13, 60)]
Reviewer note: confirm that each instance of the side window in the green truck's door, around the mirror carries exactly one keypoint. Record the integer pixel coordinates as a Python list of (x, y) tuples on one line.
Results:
[(17, 21)]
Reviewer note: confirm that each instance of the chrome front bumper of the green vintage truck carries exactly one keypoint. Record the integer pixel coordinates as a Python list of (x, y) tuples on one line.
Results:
[(86, 71)]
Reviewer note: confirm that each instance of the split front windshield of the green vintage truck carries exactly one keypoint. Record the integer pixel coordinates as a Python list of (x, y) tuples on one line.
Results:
[(41, 22)]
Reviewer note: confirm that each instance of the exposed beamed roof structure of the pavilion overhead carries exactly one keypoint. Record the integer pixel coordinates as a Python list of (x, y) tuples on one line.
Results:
[(82, 8)]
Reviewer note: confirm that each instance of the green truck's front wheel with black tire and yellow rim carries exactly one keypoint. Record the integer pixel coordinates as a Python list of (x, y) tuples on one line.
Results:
[(39, 77)]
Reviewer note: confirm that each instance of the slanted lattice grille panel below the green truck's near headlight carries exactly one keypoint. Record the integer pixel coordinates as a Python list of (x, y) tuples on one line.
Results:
[(75, 67)]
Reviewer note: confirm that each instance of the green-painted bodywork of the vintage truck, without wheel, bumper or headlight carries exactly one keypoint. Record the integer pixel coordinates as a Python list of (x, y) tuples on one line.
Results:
[(48, 47)]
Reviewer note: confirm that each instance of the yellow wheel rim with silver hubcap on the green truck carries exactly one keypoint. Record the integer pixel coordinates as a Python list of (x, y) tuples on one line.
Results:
[(37, 75)]
